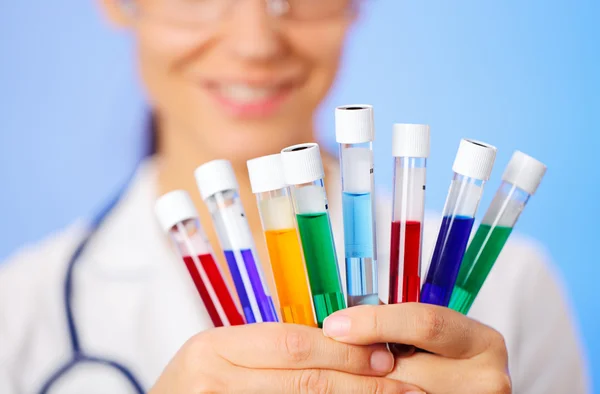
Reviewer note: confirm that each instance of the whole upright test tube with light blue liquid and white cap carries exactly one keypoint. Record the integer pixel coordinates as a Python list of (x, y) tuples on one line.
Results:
[(354, 131)]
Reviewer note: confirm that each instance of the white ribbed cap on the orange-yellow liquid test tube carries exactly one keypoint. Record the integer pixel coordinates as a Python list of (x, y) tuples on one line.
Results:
[(266, 173)]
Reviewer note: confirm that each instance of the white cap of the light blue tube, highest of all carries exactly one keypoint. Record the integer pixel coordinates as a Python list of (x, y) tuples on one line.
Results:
[(354, 124)]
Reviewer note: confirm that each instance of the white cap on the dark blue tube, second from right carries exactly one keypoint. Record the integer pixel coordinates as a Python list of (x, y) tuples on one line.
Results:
[(474, 159)]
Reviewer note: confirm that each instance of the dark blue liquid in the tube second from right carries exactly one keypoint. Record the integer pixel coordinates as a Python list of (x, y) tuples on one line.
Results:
[(447, 257)]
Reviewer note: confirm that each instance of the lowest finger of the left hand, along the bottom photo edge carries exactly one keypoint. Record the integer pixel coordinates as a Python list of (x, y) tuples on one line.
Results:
[(317, 381)]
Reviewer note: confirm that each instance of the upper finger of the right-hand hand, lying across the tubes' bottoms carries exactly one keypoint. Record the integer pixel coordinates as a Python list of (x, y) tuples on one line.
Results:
[(429, 327)]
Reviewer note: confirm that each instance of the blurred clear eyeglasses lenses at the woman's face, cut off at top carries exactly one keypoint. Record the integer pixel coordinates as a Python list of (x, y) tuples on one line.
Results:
[(204, 12)]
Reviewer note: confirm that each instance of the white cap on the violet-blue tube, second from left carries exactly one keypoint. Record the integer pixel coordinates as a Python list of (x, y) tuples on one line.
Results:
[(214, 177)]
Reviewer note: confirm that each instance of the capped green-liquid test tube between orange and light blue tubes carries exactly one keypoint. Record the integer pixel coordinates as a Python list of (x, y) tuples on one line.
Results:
[(303, 172)]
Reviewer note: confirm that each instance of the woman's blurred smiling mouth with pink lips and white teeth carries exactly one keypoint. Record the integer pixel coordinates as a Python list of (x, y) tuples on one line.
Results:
[(249, 100)]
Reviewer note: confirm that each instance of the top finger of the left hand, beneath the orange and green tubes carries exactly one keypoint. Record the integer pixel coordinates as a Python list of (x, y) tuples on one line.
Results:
[(290, 346)]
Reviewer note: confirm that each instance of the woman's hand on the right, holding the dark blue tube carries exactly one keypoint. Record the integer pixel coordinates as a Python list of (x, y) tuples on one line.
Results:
[(464, 356)]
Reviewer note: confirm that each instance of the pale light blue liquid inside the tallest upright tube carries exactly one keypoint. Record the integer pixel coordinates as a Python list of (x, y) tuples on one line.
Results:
[(361, 266)]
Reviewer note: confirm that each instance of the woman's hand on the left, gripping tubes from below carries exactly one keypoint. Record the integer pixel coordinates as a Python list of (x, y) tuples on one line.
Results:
[(277, 358)]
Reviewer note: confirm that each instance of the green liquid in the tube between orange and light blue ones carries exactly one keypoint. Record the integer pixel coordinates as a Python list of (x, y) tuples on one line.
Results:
[(321, 264)]
